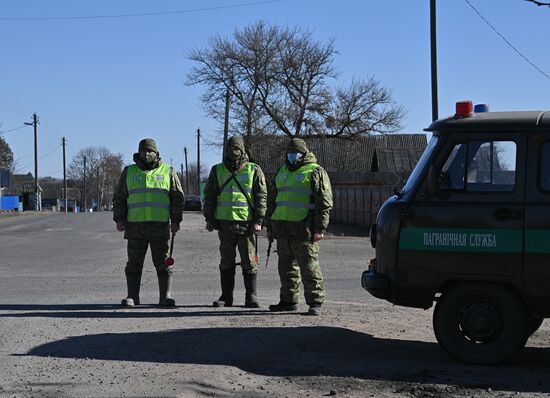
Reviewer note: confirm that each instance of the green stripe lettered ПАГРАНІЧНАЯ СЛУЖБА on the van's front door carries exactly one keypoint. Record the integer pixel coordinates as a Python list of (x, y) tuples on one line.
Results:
[(461, 240)]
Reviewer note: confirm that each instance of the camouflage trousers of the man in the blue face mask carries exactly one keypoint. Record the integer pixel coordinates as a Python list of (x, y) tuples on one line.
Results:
[(298, 261)]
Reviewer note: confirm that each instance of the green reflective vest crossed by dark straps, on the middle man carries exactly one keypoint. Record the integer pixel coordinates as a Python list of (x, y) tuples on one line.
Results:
[(232, 204)]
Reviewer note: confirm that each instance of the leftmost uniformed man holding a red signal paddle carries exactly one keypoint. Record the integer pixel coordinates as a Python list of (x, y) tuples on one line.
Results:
[(147, 206)]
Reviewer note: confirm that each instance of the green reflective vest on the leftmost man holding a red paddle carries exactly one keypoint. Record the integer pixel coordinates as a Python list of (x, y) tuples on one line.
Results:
[(148, 194)]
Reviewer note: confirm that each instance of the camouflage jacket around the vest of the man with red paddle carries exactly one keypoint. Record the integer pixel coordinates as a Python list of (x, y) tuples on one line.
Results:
[(152, 229)]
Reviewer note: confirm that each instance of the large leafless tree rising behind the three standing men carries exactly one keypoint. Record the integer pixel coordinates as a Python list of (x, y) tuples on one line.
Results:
[(280, 82)]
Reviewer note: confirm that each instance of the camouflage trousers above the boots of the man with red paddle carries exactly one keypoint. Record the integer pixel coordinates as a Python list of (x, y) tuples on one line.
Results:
[(137, 248)]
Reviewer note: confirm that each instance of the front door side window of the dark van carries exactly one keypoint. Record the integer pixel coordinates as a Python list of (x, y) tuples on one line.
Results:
[(480, 166)]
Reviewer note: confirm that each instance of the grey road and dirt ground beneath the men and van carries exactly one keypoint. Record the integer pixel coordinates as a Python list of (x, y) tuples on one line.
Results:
[(63, 334)]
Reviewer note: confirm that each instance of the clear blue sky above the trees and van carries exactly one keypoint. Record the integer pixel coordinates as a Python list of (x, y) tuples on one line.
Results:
[(113, 81)]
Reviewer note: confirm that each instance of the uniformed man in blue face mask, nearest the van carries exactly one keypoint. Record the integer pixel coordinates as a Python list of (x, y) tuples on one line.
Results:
[(298, 209)]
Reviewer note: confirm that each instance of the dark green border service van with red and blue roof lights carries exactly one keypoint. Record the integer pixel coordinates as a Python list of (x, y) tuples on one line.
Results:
[(470, 231)]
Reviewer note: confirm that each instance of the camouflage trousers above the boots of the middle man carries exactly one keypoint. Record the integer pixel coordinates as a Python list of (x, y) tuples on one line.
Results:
[(232, 238)]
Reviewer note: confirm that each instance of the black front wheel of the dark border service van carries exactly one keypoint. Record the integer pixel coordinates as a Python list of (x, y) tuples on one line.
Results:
[(480, 323)]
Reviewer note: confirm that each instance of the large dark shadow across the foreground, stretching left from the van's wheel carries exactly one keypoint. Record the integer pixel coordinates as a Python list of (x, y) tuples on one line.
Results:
[(307, 351)]
